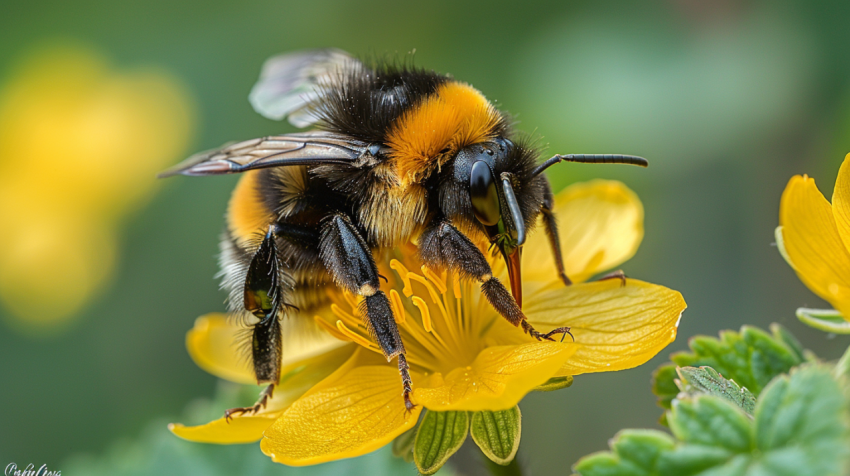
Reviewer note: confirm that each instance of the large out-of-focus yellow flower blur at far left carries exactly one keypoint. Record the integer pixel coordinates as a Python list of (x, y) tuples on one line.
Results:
[(80, 145)]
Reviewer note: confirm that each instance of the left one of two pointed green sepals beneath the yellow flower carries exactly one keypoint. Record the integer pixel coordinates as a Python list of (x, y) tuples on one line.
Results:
[(439, 436)]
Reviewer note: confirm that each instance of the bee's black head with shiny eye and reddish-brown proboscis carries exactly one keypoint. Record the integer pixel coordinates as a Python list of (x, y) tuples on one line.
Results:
[(492, 188)]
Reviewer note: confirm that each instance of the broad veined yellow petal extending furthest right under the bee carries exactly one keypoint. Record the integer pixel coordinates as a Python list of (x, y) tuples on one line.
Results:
[(617, 327)]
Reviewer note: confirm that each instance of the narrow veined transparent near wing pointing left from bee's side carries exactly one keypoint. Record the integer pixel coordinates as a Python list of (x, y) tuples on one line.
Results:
[(305, 148)]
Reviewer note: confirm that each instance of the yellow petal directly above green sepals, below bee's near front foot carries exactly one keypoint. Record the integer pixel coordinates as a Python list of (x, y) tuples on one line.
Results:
[(497, 379)]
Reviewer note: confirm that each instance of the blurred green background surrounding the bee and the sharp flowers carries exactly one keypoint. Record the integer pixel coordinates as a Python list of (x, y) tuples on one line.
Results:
[(728, 100)]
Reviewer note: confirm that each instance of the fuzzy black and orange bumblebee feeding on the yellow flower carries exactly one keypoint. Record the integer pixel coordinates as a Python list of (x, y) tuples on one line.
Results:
[(398, 155)]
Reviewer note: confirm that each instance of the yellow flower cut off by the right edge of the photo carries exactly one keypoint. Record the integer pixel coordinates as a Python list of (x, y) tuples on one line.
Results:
[(814, 238)]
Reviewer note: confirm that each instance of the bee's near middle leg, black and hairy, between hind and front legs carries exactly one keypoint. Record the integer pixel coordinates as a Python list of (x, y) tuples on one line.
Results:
[(348, 259)]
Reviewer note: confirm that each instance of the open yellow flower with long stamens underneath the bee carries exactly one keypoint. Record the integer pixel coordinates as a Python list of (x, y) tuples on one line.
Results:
[(347, 401)]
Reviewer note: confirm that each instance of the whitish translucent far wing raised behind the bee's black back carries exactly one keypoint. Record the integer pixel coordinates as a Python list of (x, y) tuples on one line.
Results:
[(290, 82)]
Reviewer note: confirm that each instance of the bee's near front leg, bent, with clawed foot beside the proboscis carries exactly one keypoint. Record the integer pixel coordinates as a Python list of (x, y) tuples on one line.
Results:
[(444, 246)]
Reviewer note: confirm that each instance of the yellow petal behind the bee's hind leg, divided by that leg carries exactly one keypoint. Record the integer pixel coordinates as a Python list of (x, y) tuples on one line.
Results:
[(214, 345)]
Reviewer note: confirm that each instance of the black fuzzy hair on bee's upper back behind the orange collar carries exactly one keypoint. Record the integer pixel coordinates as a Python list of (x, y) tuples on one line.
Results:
[(365, 101)]
